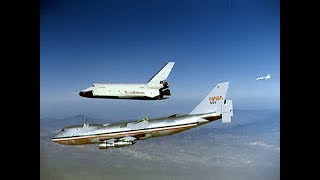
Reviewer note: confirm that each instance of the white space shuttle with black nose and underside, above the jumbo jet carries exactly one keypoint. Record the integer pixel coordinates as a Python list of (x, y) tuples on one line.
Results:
[(155, 89)]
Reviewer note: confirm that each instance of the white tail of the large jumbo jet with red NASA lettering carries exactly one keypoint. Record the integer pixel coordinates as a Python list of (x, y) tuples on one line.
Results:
[(215, 102)]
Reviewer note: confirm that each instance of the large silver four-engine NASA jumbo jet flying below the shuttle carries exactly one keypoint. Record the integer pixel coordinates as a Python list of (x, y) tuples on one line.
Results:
[(213, 107)]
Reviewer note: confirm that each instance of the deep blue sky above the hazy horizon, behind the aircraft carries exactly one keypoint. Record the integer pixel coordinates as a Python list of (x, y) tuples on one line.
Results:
[(124, 41)]
